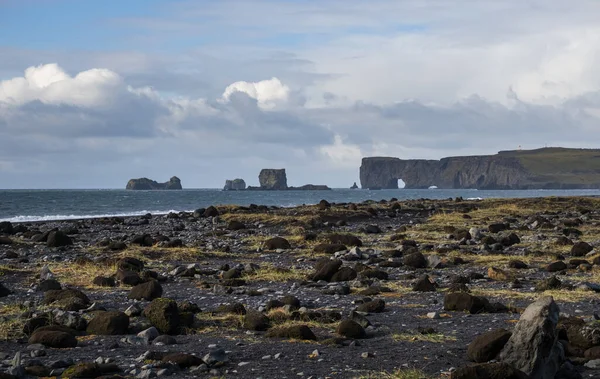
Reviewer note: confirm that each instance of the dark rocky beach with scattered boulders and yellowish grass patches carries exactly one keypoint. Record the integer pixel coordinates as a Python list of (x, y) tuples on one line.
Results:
[(372, 290)]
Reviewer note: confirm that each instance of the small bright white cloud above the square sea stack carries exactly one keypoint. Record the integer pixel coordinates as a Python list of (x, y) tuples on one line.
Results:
[(268, 93)]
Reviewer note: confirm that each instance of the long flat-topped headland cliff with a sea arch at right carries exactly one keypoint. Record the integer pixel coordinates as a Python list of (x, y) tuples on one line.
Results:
[(547, 168)]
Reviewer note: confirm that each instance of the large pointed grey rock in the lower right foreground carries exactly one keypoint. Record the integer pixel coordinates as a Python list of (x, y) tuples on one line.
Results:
[(533, 347)]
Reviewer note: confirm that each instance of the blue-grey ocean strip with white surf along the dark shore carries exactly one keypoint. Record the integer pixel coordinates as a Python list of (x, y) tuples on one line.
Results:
[(39, 205)]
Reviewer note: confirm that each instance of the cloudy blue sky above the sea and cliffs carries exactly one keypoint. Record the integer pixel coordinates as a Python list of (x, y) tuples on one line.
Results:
[(93, 93)]
